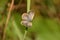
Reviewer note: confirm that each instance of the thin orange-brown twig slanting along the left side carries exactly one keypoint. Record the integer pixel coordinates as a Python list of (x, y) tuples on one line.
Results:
[(8, 17)]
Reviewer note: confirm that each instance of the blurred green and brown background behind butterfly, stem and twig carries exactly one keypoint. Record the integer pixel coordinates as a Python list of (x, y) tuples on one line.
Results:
[(46, 22)]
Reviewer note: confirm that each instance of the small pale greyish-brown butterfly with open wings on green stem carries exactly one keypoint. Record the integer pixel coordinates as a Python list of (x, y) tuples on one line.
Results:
[(27, 18)]
